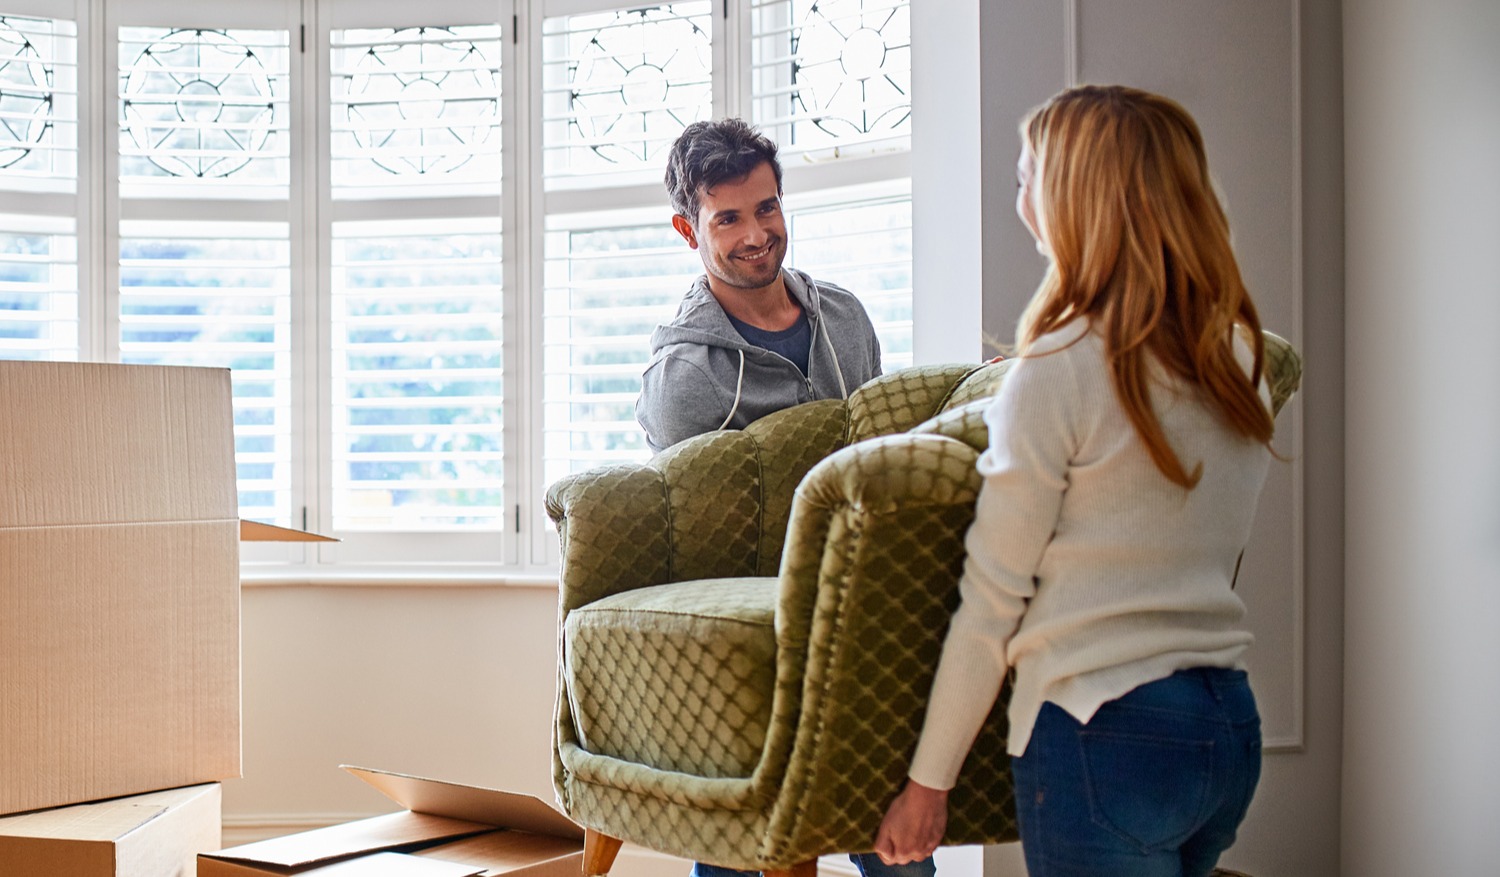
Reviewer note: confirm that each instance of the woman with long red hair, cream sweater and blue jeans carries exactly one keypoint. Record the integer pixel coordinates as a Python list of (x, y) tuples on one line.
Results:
[(1129, 446)]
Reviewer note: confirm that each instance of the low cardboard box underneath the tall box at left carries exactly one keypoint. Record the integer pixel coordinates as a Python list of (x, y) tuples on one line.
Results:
[(146, 836)]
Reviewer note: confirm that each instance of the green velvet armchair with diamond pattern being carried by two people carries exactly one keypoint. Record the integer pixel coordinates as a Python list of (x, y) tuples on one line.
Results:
[(752, 620)]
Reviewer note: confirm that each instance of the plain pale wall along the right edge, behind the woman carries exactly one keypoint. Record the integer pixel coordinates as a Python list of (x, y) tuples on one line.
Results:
[(1423, 656)]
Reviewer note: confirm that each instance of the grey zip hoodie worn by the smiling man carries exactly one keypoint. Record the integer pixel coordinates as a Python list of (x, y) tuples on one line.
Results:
[(706, 377)]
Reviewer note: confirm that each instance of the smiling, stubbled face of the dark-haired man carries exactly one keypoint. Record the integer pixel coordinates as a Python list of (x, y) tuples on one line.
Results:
[(740, 232)]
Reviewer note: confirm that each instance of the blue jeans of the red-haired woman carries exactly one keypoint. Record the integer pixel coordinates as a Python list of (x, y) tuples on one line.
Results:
[(1154, 786)]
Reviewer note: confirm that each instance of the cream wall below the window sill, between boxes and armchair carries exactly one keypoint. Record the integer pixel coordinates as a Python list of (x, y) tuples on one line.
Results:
[(448, 683)]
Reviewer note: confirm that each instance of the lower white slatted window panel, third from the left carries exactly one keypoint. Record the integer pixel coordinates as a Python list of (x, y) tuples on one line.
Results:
[(418, 380)]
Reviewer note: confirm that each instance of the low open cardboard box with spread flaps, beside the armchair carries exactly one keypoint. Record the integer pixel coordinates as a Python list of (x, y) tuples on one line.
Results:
[(446, 831)]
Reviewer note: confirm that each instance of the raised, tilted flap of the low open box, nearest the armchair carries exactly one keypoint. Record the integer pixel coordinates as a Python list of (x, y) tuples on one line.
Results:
[(470, 803)]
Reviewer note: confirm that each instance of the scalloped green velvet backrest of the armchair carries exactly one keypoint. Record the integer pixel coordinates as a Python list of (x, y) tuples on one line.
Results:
[(725, 498)]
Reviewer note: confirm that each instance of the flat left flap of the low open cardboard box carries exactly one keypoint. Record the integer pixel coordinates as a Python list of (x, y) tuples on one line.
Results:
[(367, 836)]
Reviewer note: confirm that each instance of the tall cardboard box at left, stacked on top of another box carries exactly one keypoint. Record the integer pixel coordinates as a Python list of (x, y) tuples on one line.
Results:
[(119, 582)]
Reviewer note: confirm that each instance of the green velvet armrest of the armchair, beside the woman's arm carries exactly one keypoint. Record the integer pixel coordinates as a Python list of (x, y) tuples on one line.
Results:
[(869, 584)]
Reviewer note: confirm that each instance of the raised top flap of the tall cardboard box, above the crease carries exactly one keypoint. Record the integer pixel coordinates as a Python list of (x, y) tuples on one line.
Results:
[(122, 444)]
